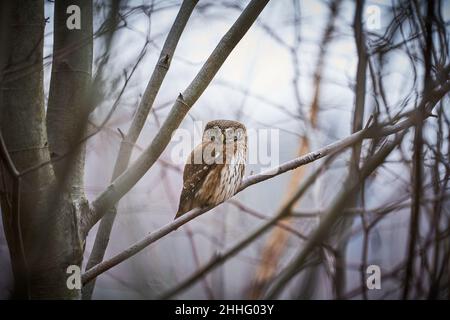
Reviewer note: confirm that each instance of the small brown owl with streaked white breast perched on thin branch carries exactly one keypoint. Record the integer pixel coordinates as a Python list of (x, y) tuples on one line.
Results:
[(214, 170)]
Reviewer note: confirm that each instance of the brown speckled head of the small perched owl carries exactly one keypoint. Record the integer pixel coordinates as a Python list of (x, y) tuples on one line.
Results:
[(225, 132)]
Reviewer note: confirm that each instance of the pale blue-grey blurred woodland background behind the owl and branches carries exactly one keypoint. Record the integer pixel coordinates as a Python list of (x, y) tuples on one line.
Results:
[(295, 71)]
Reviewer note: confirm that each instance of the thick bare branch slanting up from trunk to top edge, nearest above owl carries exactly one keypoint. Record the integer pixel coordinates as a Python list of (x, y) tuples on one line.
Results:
[(120, 186)]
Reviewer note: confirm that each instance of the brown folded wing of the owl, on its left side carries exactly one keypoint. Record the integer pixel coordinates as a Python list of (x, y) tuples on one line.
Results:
[(194, 175)]
